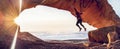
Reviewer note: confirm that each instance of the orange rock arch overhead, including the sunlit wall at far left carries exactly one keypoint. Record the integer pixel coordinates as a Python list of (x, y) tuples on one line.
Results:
[(97, 13)]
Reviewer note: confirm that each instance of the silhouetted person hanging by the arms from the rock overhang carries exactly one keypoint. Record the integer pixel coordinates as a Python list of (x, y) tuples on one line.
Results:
[(79, 20)]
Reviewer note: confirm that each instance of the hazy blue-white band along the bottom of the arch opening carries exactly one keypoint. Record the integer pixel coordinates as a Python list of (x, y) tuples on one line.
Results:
[(61, 36)]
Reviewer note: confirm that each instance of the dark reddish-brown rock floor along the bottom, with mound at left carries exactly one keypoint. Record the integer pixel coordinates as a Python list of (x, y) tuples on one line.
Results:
[(27, 41)]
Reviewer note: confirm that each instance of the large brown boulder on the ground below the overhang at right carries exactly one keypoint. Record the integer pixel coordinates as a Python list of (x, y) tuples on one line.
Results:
[(104, 35)]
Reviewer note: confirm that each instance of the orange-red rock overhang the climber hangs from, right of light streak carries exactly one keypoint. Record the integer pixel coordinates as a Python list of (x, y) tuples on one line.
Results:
[(97, 13)]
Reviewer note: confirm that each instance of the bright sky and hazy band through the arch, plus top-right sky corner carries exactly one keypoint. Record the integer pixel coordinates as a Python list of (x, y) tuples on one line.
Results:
[(52, 23)]
